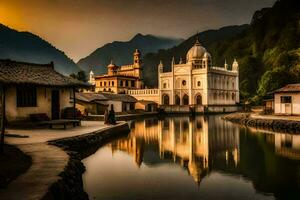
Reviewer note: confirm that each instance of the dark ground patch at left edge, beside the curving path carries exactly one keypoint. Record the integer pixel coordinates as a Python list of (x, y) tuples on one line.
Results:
[(9, 170)]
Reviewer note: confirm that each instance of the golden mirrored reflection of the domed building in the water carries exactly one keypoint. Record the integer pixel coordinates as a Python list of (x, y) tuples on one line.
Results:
[(196, 144)]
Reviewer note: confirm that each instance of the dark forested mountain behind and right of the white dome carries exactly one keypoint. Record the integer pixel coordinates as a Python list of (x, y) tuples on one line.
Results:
[(268, 50)]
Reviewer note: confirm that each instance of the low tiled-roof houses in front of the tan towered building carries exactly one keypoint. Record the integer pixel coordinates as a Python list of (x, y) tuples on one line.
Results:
[(96, 103)]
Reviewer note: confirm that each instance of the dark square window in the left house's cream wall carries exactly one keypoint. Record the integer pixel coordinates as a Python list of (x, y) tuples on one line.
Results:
[(26, 97)]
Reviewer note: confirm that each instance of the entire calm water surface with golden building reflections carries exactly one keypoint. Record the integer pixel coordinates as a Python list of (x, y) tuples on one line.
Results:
[(195, 158)]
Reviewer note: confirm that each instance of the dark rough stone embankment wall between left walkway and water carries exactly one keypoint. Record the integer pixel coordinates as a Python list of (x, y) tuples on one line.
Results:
[(70, 186)]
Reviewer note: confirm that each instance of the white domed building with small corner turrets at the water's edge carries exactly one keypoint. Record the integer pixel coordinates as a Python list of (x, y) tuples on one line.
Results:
[(199, 84)]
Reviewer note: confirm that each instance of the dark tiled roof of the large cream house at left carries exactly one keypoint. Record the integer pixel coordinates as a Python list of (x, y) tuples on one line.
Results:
[(13, 72)]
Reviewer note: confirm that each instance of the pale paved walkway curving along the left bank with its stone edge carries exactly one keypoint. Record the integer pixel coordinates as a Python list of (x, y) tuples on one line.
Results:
[(52, 167)]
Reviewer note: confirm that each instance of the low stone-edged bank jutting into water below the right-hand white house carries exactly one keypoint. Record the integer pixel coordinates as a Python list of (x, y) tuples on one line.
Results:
[(285, 124)]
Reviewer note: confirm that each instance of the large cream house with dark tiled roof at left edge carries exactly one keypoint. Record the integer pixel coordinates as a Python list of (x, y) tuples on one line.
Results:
[(28, 88)]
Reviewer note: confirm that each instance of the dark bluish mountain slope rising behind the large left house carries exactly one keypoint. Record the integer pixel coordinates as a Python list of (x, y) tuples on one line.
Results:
[(27, 47)]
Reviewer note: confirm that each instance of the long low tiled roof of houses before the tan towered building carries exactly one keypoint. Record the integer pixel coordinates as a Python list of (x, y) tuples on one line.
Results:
[(90, 97)]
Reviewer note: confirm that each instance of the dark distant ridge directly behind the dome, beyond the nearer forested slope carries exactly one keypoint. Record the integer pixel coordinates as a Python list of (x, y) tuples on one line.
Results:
[(209, 39)]
